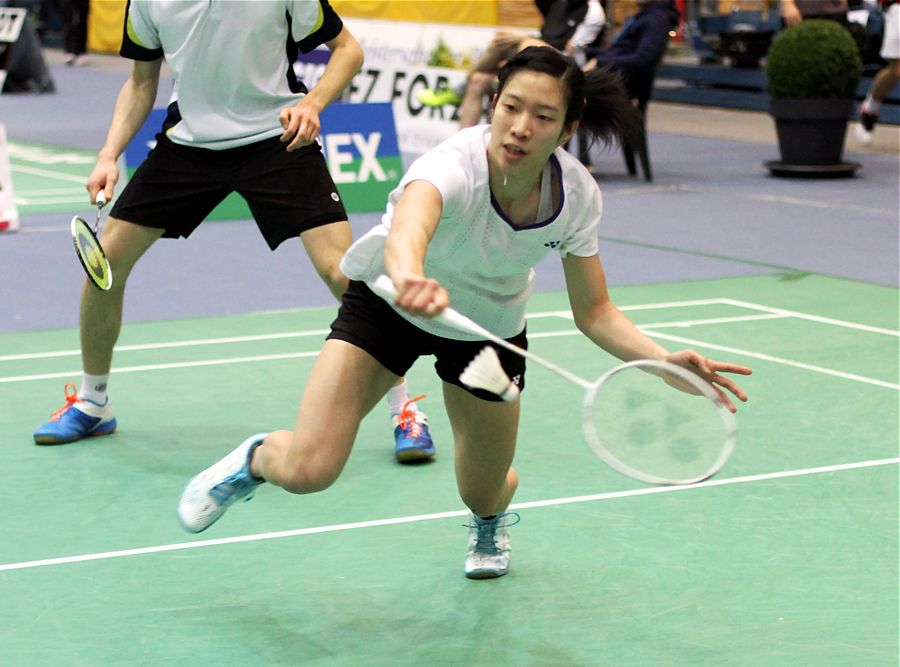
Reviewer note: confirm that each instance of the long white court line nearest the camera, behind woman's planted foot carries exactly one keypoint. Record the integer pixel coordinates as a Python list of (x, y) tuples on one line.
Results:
[(106, 555)]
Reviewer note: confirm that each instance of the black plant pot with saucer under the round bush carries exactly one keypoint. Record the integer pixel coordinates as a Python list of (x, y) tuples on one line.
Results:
[(811, 137)]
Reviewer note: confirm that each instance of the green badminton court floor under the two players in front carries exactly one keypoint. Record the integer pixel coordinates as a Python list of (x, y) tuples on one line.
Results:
[(788, 557)]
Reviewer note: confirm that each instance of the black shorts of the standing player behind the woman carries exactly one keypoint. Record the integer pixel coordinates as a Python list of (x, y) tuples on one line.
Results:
[(177, 186)]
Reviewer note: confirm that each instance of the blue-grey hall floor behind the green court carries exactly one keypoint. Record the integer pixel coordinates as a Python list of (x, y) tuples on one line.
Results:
[(712, 212)]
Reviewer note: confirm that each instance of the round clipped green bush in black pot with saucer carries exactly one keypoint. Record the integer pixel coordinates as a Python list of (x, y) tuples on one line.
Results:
[(813, 69)]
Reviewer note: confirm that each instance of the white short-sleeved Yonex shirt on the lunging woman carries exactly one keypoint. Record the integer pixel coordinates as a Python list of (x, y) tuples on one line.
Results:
[(482, 259)]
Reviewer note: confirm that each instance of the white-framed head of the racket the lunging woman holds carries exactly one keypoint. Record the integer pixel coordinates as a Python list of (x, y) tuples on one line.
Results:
[(647, 429)]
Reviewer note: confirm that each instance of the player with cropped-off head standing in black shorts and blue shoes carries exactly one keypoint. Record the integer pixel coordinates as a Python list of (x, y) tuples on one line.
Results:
[(241, 122)]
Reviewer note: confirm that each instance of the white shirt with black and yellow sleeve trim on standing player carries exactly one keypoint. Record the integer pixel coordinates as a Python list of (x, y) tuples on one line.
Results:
[(230, 61)]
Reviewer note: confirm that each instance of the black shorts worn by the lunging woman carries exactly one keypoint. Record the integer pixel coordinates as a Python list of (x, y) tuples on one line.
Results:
[(368, 322)]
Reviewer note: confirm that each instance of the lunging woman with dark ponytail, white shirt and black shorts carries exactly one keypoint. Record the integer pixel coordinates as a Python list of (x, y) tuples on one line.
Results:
[(468, 221)]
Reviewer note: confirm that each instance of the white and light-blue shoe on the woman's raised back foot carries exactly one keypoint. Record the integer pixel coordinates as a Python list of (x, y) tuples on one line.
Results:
[(209, 494)]
